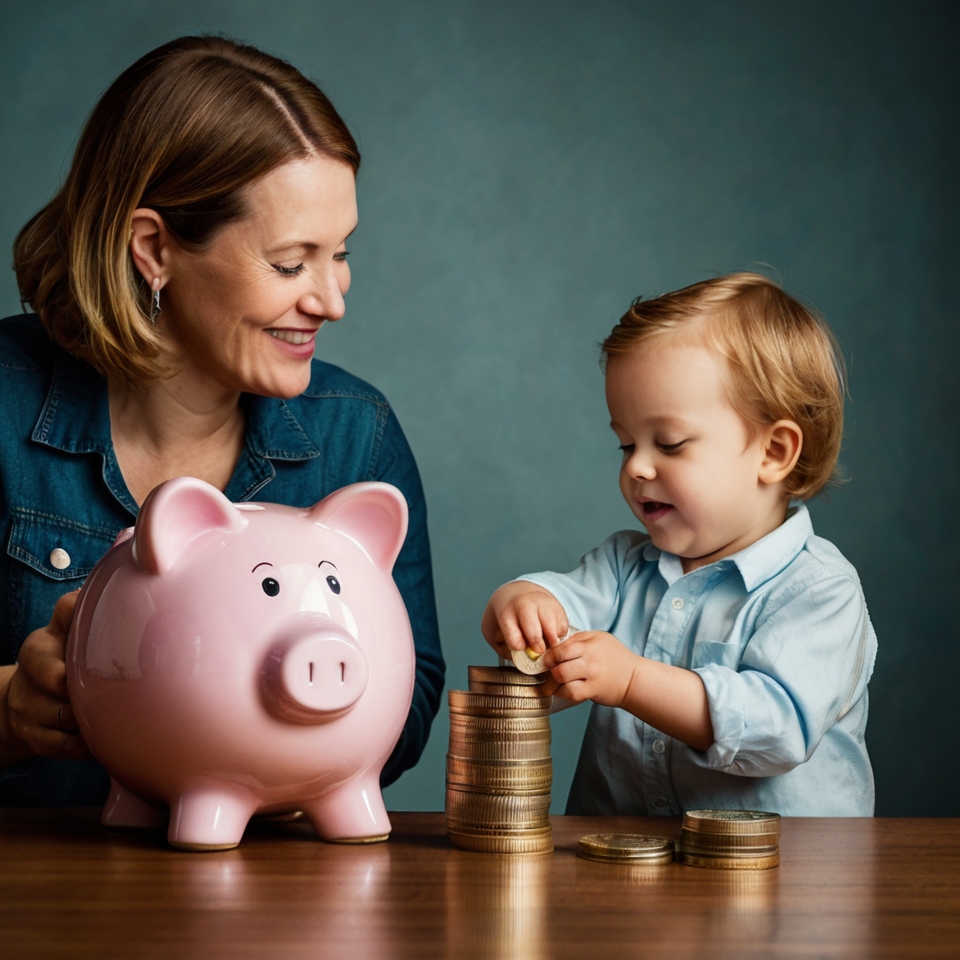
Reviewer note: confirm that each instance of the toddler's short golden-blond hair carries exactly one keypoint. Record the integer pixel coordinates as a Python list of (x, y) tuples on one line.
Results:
[(785, 362)]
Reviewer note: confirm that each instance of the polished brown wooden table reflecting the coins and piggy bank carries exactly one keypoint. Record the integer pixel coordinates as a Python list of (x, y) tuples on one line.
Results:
[(845, 888)]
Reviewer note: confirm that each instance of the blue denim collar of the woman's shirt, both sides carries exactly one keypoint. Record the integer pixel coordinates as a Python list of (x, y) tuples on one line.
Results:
[(76, 417)]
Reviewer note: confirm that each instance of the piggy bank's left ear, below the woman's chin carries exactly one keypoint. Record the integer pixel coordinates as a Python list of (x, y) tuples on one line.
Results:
[(174, 515)]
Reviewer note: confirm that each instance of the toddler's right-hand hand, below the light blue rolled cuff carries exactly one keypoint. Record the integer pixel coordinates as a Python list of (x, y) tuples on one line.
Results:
[(591, 665)]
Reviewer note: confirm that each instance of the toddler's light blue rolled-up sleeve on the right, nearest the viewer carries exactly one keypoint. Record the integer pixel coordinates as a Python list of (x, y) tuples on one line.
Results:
[(803, 667)]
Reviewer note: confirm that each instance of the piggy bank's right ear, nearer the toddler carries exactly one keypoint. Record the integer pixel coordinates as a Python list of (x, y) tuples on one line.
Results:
[(372, 514)]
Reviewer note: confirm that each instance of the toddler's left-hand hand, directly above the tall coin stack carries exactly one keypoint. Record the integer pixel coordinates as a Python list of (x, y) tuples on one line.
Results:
[(521, 614)]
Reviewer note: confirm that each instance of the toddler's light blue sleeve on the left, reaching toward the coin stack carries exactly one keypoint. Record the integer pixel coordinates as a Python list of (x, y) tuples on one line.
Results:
[(590, 594)]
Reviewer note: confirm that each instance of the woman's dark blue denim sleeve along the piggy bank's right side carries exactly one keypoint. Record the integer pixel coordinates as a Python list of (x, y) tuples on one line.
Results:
[(413, 576)]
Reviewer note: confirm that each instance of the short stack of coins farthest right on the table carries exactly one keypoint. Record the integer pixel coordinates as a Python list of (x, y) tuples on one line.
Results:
[(730, 839)]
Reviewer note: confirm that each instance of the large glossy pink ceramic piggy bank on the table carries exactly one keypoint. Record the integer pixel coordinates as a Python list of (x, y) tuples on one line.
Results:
[(232, 659)]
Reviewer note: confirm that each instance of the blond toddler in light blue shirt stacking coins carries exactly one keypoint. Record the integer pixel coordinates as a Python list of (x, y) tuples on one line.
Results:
[(727, 651)]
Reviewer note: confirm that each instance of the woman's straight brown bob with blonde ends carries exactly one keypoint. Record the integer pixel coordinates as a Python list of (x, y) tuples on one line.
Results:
[(183, 131)]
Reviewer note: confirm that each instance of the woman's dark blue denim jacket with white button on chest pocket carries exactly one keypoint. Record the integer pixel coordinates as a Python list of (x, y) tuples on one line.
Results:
[(61, 490)]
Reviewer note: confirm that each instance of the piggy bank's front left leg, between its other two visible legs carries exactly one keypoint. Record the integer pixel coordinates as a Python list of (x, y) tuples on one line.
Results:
[(210, 815)]
